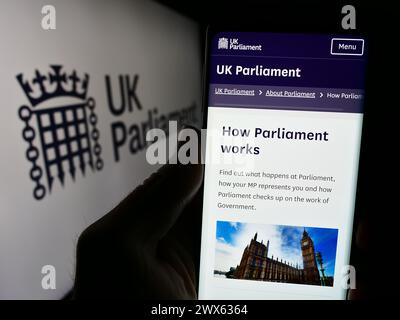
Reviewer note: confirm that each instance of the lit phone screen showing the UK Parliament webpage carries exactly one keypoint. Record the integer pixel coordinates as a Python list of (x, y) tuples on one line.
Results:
[(284, 119)]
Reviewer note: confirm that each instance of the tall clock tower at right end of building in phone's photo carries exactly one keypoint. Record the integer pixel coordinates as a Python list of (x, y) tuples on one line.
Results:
[(311, 273)]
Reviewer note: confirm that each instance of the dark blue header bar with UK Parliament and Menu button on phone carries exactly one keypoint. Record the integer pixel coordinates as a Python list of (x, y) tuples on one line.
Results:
[(322, 61)]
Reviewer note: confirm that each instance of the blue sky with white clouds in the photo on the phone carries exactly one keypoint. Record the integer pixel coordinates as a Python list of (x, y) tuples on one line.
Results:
[(232, 238)]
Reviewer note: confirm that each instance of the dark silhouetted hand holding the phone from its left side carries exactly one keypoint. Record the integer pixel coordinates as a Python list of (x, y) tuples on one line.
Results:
[(147, 247)]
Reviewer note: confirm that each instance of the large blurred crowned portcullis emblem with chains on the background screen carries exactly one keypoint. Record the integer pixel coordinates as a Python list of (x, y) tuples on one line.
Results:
[(62, 137)]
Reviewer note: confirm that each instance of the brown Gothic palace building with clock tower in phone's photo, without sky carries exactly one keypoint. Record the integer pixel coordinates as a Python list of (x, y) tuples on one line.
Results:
[(256, 265)]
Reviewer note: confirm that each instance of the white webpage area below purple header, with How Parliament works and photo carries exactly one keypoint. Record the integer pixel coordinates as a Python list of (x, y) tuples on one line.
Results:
[(267, 216)]
